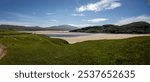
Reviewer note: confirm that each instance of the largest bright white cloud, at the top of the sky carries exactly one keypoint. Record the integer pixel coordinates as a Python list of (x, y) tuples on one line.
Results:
[(100, 6)]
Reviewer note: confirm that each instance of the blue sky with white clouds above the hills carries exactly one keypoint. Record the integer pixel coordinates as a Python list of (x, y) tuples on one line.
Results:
[(73, 12)]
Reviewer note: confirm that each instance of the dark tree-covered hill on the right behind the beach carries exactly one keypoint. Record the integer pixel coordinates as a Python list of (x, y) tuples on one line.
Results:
[(132, 28)]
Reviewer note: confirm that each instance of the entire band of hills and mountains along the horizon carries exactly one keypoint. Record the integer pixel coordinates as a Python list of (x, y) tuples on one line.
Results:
[(132, 28)]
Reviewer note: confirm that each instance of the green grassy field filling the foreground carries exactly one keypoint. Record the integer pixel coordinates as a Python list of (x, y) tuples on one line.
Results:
[(29, 49)]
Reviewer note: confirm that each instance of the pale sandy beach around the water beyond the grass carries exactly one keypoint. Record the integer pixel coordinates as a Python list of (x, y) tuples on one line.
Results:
[(97, 36)]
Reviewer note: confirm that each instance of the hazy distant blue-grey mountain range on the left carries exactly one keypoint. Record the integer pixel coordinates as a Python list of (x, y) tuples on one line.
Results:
[(36, 28)]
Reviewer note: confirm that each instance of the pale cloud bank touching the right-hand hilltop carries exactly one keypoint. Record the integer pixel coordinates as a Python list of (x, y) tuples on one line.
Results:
[(134, 19)]
